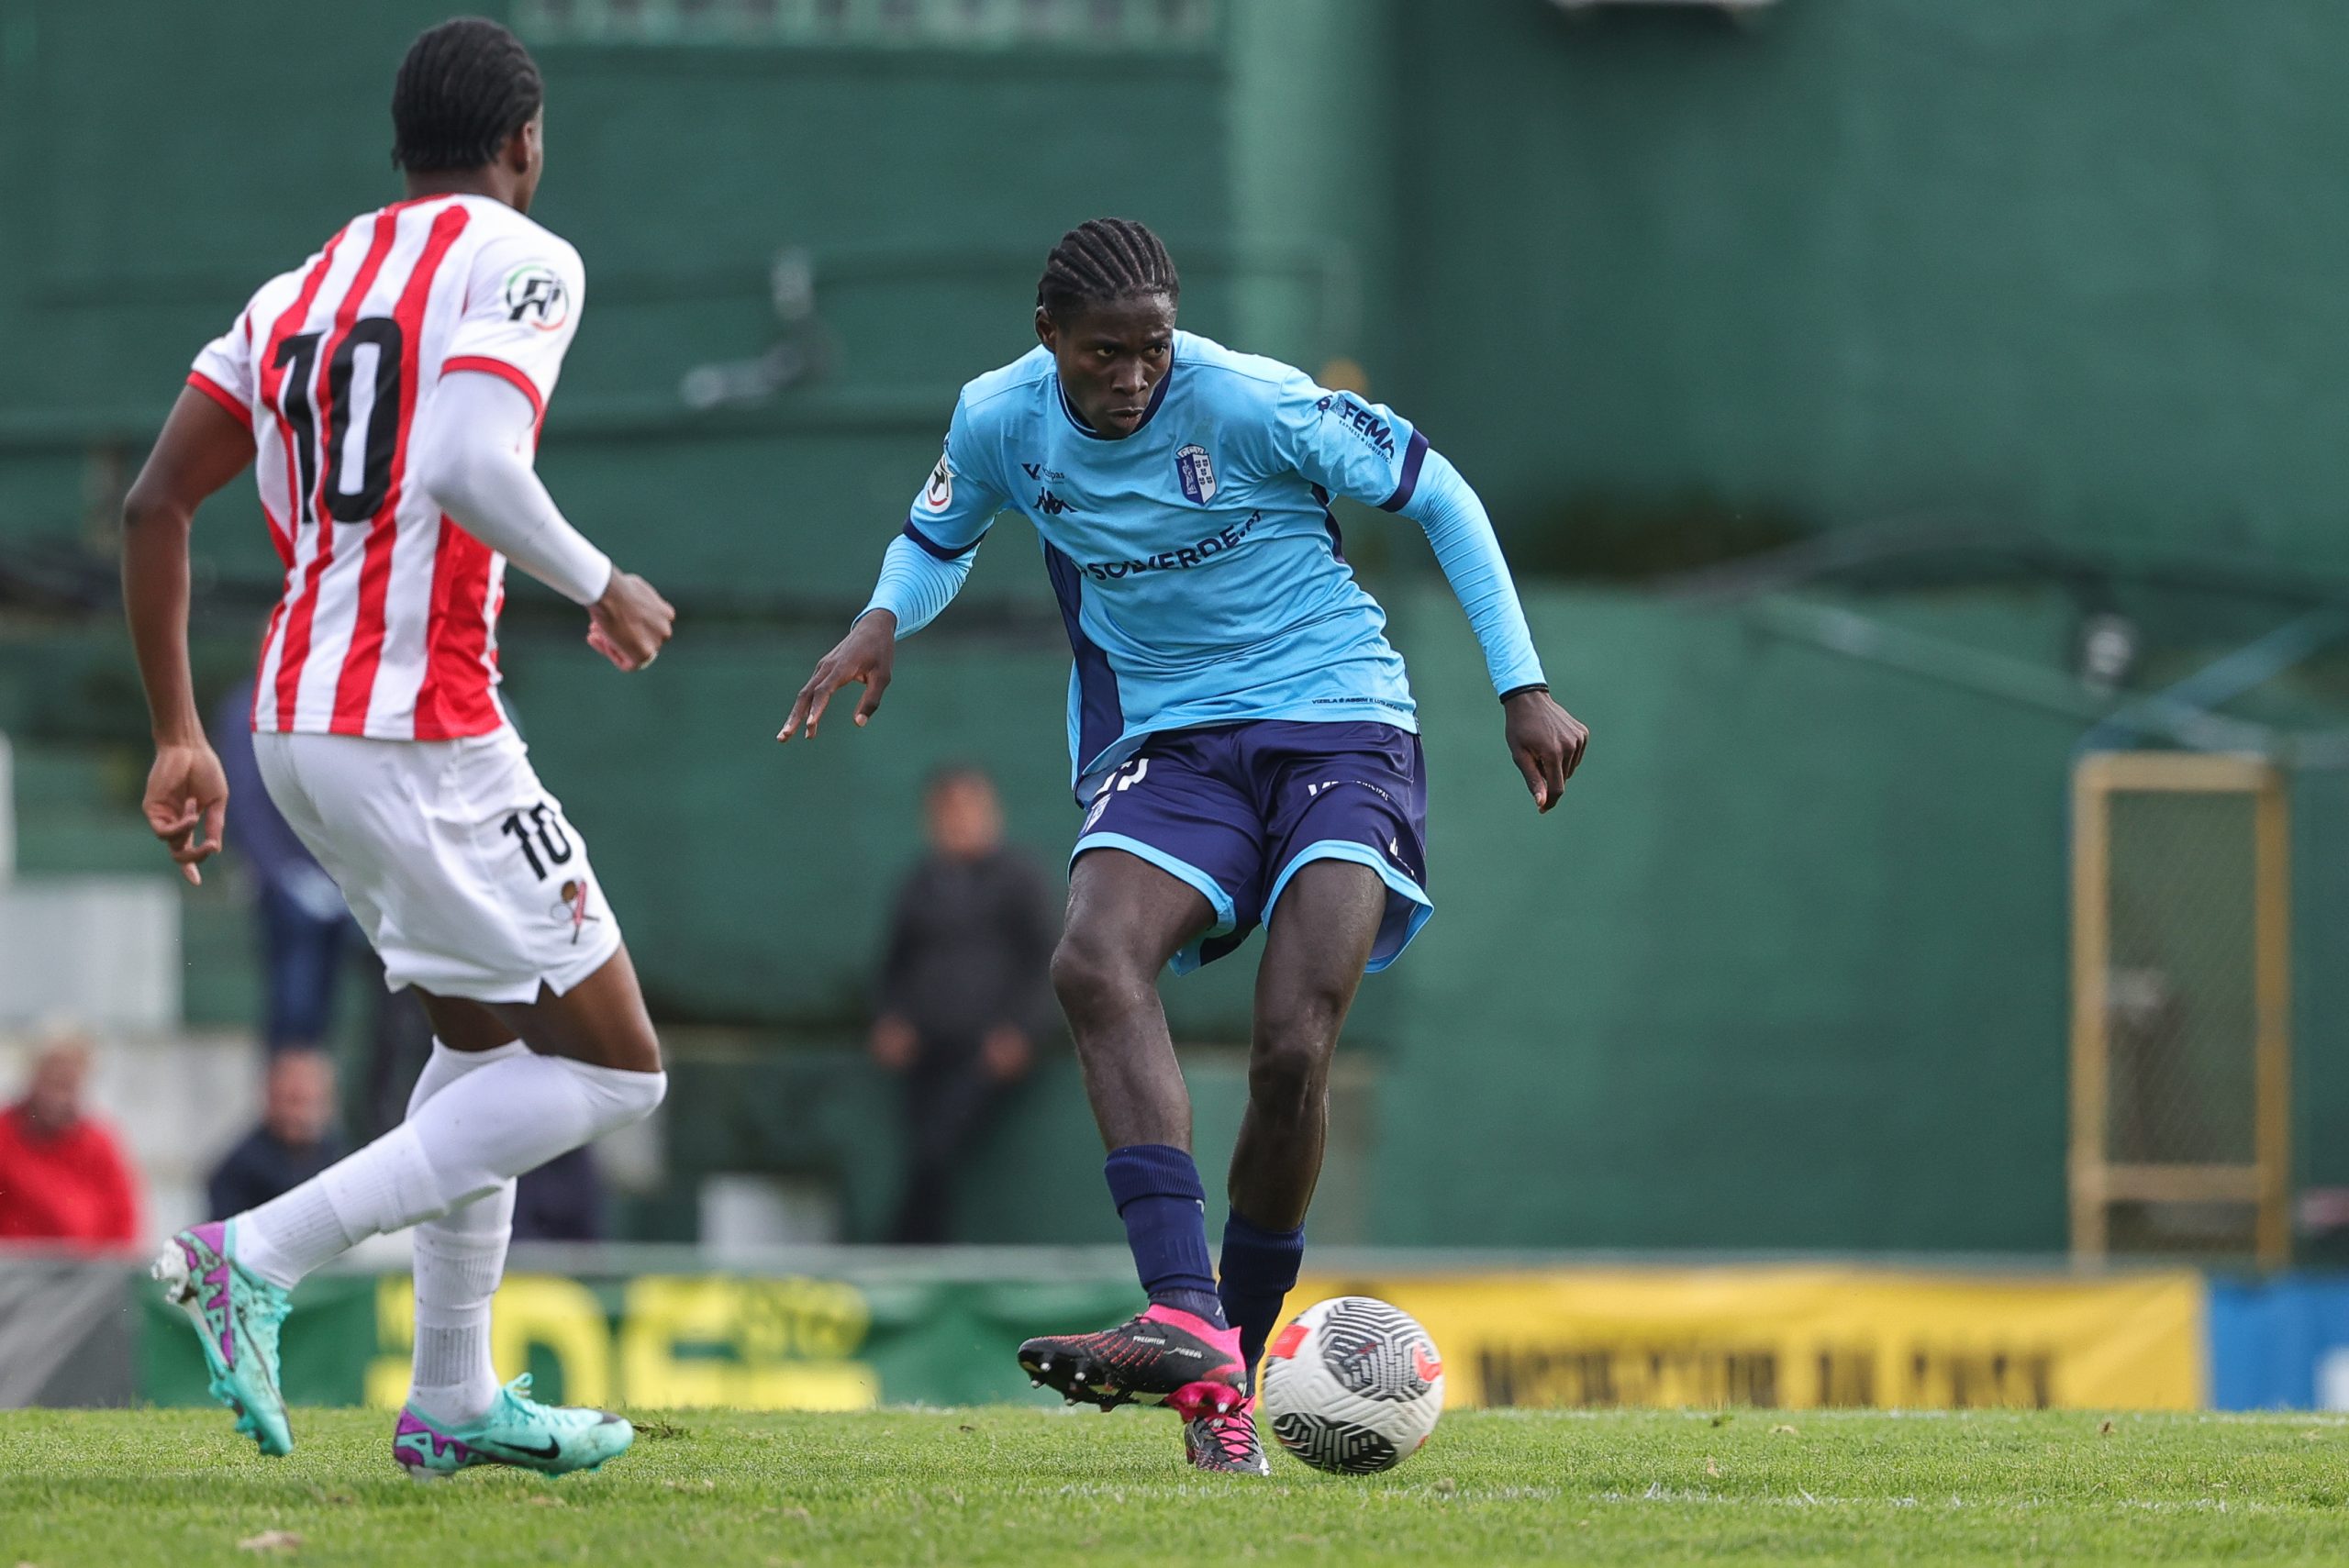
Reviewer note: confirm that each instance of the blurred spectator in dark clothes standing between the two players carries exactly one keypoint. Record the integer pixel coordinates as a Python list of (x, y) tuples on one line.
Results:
[(964, 992)]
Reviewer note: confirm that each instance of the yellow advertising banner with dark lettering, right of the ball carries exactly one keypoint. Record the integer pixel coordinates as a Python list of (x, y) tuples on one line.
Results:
[(1805, 1337)]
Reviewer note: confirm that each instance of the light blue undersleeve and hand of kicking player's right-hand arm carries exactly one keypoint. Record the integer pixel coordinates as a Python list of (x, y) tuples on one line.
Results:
[(1544, 741)]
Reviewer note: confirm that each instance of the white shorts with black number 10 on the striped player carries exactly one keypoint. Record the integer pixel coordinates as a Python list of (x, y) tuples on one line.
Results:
[(452, 856)]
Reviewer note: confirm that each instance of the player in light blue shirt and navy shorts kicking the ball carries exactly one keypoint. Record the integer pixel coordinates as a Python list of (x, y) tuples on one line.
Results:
[(1244, 738)]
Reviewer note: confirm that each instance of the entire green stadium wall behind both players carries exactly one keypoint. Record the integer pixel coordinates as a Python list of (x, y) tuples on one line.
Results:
[(1791, 966)]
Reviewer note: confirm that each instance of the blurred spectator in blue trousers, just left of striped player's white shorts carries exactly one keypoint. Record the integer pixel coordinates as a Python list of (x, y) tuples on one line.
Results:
[(307, 928)]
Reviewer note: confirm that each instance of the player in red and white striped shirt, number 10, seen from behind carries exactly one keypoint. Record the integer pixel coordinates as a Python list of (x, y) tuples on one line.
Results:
[(389, 396)]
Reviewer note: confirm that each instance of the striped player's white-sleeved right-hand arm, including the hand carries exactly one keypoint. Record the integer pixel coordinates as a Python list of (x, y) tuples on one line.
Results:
[(473, 445)]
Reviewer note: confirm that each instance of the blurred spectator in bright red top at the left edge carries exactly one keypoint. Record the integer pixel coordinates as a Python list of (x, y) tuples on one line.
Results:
[(62, 1175)]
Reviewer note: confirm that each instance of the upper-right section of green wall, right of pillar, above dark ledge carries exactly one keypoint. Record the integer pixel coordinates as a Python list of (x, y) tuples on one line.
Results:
[(2071, 266)]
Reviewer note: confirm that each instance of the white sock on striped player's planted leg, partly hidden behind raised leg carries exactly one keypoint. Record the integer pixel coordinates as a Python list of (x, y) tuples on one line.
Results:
[(459, 1262)]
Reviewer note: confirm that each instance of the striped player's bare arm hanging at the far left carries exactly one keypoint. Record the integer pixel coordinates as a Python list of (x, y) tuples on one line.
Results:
[(201, 450)]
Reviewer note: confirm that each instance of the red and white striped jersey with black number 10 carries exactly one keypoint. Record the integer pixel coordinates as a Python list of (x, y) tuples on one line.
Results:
[(389, 621)]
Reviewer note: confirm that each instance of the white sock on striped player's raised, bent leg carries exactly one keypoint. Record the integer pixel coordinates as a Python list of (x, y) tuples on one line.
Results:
[(466, 1142)]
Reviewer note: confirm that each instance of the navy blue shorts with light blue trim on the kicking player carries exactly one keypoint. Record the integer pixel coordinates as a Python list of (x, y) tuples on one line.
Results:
[(1239, 809)]
